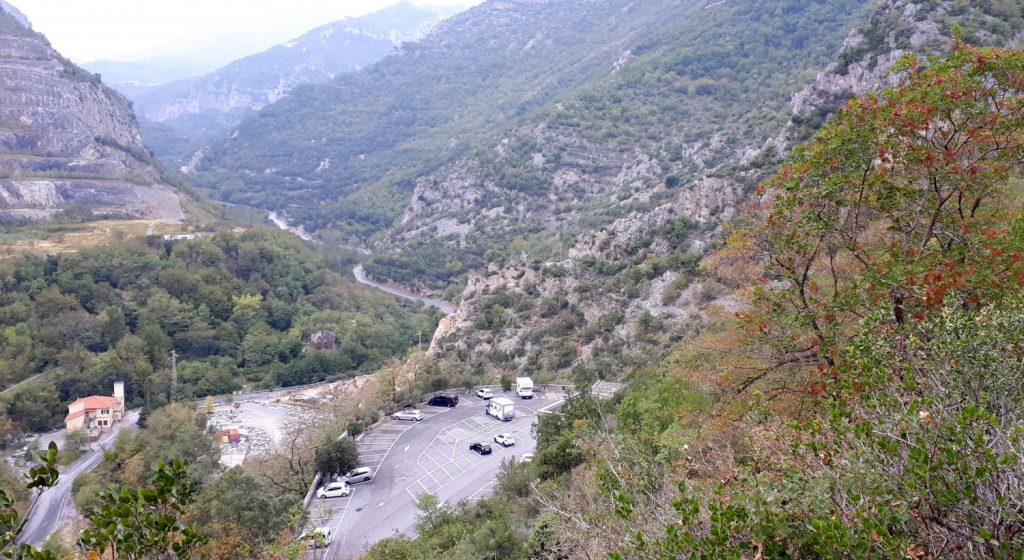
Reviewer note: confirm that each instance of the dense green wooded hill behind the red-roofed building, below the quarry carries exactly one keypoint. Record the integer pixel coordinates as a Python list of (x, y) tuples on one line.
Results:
[(237, 310)]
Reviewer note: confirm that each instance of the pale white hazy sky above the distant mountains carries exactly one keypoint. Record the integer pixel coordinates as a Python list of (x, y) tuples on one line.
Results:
[(129, 30)]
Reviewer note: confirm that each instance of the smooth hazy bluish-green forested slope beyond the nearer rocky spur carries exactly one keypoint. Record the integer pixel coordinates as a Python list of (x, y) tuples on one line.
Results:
[(346, 154)]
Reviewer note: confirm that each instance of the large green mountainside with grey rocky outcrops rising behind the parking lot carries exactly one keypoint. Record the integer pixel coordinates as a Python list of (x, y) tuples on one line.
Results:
[(564, 166)]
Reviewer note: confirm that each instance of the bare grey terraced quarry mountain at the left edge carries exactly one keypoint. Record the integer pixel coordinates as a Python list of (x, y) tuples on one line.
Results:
[(67, 142)]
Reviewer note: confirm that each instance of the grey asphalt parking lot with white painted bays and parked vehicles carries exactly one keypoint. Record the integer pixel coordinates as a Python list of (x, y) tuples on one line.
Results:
[(417, 458)]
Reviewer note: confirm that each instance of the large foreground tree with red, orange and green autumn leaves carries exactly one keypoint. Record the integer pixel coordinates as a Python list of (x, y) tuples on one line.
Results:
[(901, 198)]
